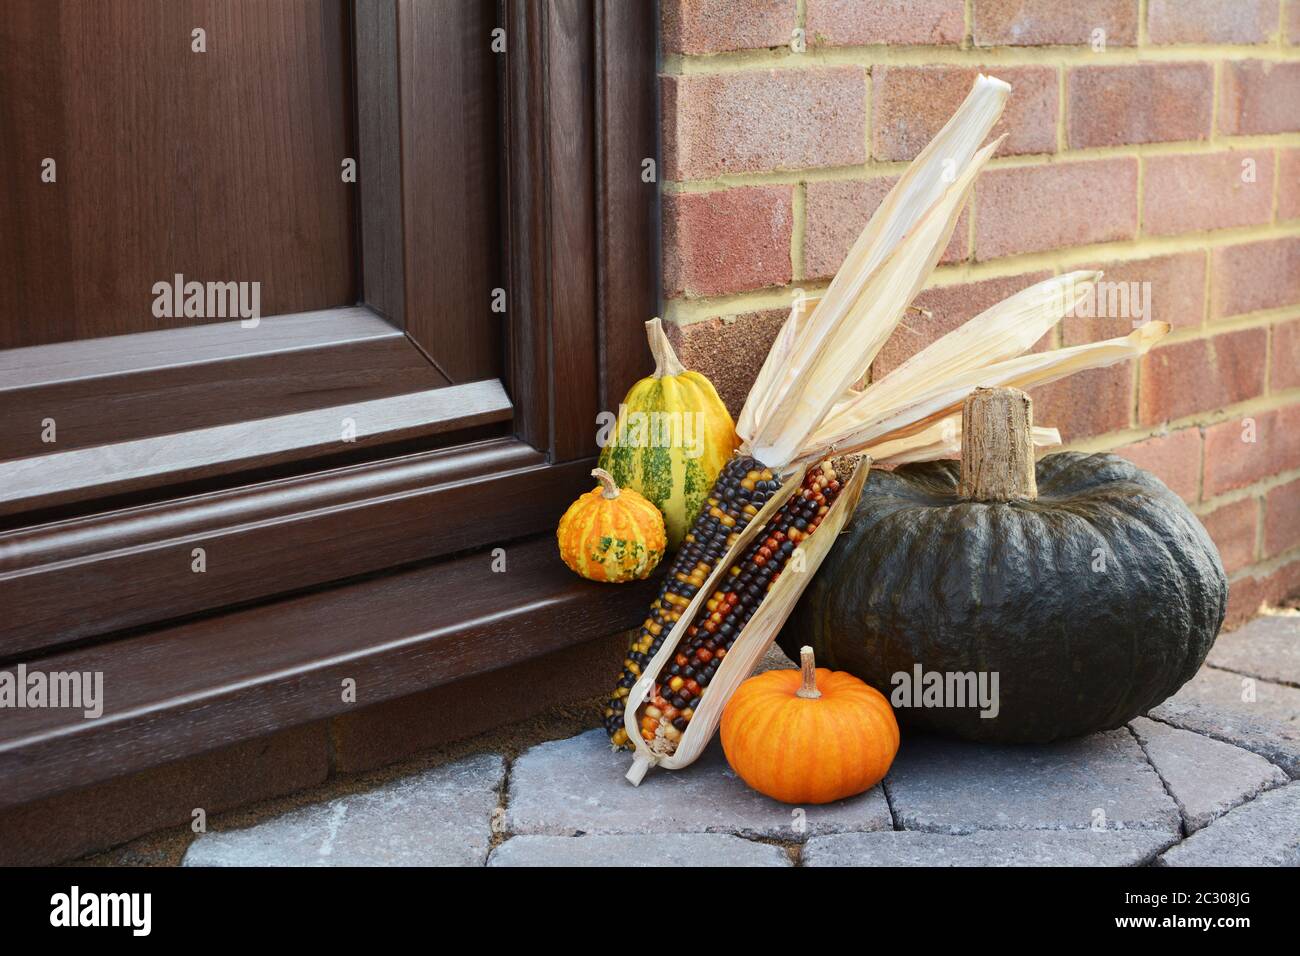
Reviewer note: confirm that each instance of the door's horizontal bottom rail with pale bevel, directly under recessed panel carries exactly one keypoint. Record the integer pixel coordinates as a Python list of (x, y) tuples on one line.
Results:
[(71, 396)]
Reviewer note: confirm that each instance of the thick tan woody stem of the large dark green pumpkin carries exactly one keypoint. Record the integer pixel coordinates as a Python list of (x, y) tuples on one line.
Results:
[(998, 447)]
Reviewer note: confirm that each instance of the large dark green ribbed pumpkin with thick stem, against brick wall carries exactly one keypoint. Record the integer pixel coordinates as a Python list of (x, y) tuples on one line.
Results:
[(1093, 602)]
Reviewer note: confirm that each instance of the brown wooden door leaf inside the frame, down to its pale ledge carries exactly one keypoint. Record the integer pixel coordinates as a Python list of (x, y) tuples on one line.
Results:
[(200, 194)]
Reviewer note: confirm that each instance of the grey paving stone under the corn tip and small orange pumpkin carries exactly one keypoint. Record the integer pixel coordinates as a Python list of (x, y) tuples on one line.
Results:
[(578, 786)]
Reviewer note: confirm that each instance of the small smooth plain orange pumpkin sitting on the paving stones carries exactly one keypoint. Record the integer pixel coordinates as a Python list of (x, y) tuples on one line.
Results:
[(809, 737)]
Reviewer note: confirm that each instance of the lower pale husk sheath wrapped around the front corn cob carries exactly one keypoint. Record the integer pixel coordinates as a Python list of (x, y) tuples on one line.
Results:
[(759, 634)]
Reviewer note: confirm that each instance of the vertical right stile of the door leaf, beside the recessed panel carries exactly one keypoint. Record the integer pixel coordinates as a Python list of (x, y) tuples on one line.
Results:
[(428, 116)]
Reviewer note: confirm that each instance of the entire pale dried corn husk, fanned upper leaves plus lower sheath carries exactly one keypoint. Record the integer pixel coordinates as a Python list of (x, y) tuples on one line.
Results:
[(804, 409)]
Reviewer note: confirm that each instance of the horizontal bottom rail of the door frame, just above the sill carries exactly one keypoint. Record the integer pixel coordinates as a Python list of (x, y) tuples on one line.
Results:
[(88, 577)]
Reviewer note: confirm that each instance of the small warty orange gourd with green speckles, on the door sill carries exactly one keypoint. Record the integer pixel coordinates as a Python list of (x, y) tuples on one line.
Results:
[(612, 537)]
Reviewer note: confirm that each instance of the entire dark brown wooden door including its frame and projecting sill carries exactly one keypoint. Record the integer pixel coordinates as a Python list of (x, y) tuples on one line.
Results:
[(227, 520)]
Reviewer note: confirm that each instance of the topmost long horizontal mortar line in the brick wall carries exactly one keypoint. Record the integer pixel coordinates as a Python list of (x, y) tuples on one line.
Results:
[(1072, 57)]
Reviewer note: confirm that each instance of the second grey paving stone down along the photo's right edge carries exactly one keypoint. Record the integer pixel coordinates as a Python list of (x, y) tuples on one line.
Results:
[(1211, 704)]
